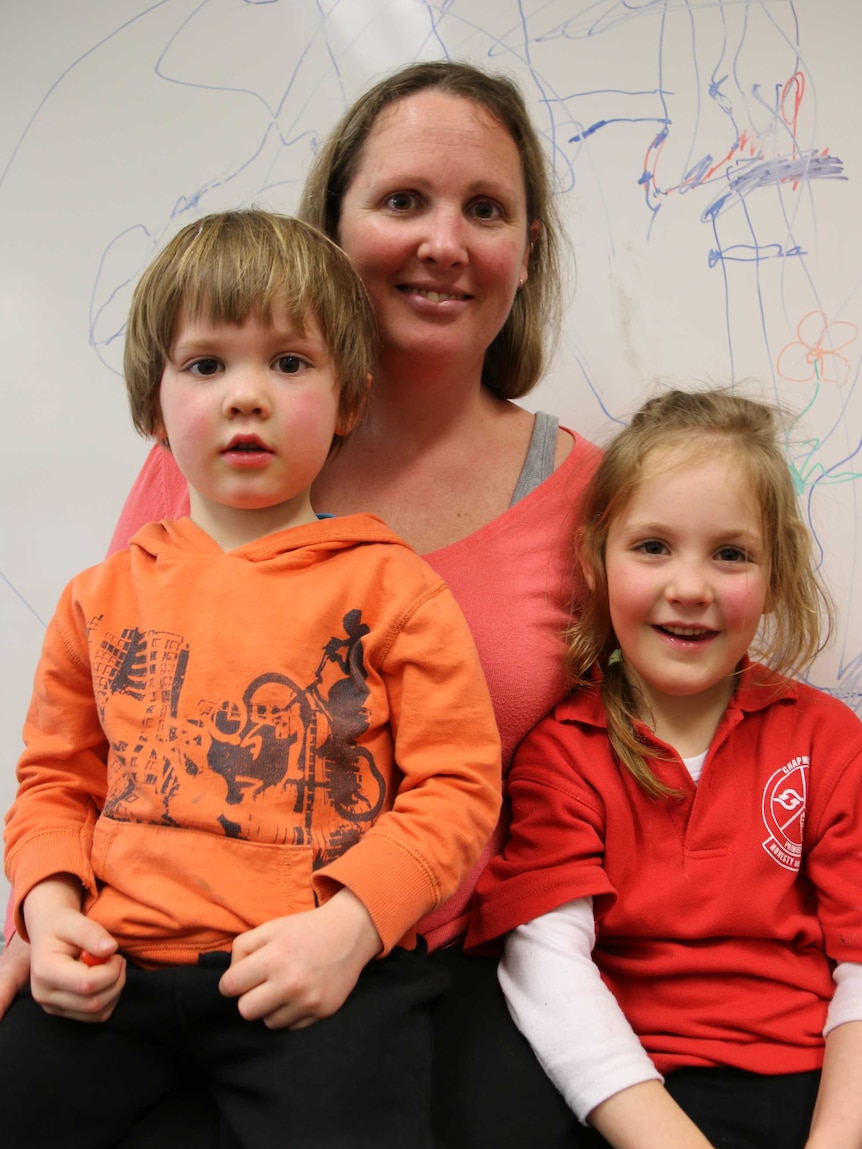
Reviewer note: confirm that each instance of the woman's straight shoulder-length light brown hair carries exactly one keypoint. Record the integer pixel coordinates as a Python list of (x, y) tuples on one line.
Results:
[(515, 361)]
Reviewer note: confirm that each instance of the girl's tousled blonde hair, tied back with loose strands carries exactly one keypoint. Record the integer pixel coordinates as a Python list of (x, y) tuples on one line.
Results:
[(694, 426)]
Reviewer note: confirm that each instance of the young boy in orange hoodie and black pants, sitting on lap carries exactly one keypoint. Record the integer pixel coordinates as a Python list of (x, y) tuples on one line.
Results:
[(260, 746)]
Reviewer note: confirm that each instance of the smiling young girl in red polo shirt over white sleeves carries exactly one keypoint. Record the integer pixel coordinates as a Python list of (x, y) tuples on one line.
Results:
[(682, 893)]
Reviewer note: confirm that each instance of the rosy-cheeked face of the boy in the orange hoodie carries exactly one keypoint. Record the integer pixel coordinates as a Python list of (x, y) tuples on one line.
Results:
[(250, 413)]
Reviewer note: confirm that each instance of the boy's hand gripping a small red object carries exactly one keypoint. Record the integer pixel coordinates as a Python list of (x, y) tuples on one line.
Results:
[(60, 936)]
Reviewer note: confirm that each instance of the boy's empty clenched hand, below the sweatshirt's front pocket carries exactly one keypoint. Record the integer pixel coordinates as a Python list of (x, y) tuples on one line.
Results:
[(296, 970)]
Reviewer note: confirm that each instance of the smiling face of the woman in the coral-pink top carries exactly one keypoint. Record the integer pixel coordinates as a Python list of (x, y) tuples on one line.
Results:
[(435, 222)]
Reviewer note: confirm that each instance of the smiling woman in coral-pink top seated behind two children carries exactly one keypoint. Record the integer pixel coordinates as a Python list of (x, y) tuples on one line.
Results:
[(436, 186)]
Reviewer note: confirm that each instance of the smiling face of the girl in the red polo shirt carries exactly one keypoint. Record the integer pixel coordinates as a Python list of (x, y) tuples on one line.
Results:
[(688, 575)]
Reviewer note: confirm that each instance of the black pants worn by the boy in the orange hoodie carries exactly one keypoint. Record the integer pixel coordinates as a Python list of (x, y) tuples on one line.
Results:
[(358, 1079)]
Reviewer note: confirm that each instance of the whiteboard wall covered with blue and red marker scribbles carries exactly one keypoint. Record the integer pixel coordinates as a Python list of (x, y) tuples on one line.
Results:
[(121, 120)]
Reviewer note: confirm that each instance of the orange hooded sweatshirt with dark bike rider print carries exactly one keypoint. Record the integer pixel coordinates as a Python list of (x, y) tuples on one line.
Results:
[(219, 739)]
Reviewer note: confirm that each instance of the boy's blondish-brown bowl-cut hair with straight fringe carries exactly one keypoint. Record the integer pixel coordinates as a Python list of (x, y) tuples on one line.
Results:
[(234, 265)]
